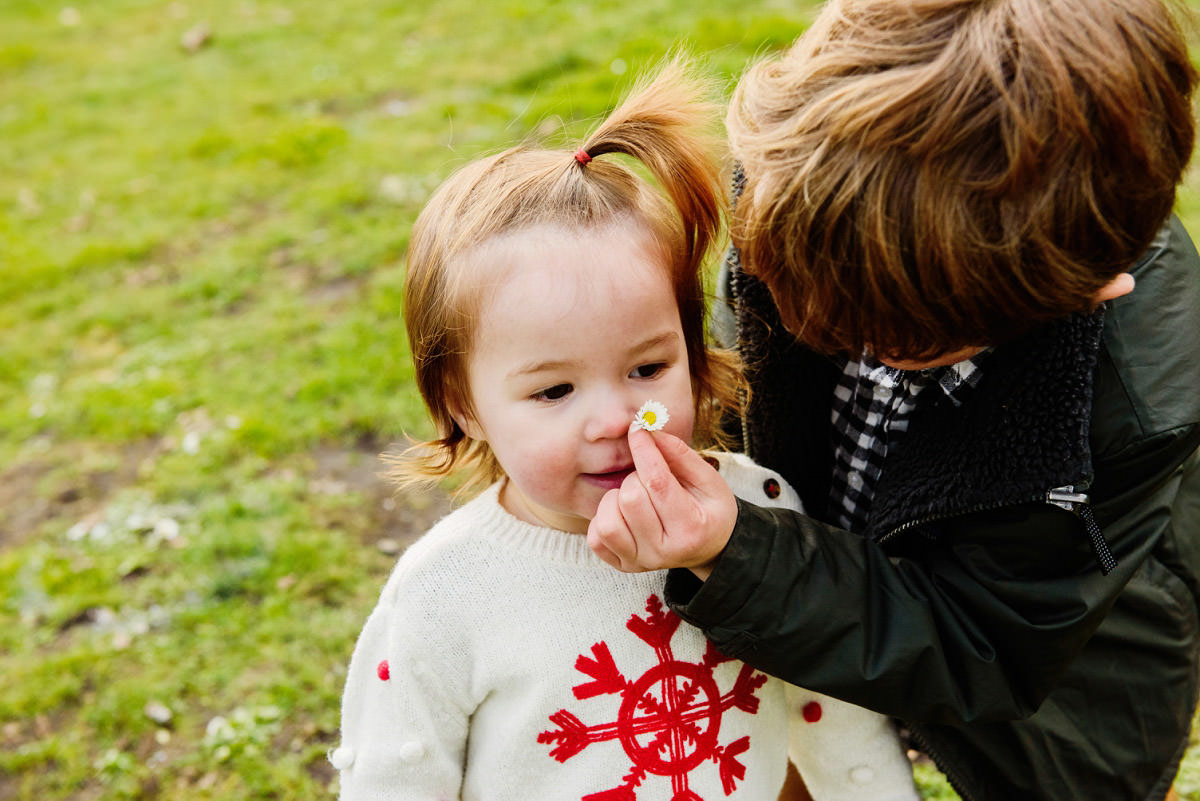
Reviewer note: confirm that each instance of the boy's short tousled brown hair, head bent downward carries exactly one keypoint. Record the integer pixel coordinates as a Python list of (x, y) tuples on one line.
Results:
[(928, 176)]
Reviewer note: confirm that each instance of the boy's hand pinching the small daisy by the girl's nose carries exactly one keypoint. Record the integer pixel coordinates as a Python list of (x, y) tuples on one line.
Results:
[(675, 511)]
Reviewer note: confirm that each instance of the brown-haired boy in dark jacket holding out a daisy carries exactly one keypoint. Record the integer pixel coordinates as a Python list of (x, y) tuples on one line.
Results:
[(947, 206)]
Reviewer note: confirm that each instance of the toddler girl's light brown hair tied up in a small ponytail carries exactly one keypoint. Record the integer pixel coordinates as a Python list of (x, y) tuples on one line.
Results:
[(667, 125)]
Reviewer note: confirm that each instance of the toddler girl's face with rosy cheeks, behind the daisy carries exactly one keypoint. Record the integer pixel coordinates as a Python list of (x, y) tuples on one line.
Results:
[(579, 332)]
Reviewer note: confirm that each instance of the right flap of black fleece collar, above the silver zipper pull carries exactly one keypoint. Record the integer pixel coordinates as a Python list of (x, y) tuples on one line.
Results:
[(1023, 432)]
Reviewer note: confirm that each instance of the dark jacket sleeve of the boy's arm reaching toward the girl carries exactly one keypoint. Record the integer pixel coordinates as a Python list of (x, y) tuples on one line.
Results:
[(976, 624)]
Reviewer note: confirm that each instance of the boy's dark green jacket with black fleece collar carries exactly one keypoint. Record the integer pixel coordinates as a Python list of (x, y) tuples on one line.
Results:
[(975, 610)]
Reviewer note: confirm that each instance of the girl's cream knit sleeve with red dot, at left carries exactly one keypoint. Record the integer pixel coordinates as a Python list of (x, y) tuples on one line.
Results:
[(405, 709)]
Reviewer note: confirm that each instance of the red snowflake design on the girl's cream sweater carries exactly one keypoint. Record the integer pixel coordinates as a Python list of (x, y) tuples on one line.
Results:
[(669, 720)]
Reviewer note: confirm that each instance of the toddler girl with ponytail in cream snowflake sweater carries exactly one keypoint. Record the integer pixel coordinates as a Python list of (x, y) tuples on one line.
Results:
[(550, 297)]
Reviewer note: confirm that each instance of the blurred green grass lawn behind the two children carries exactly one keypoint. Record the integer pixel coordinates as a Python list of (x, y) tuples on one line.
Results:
[(203, 214)]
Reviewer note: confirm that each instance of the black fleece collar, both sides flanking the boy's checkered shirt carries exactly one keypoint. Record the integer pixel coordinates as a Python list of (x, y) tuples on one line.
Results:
[(1022, 432)]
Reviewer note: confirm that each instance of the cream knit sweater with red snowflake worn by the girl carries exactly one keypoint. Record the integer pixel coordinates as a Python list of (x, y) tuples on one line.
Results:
[(506, 663)]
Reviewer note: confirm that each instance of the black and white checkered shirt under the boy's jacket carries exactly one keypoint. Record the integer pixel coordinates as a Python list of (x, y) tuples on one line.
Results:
[(872, 407)]
